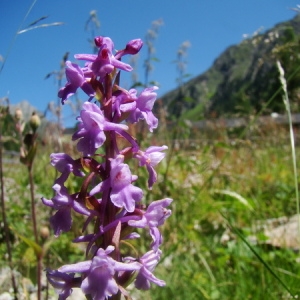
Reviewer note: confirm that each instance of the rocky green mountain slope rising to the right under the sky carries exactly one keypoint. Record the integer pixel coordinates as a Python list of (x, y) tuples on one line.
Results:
[(244, 79)]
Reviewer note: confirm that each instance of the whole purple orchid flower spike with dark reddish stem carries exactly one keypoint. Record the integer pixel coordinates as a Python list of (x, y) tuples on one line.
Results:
[(109, 195)]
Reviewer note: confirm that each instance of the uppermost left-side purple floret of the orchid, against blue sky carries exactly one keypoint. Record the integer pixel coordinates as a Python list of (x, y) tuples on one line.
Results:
[(77, 78)]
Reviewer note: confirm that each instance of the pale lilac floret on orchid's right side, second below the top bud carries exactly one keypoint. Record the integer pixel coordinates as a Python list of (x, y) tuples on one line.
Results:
[(150, 158)]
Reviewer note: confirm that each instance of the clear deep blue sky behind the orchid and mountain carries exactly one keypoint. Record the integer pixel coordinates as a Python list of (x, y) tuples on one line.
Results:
[(209, 25)]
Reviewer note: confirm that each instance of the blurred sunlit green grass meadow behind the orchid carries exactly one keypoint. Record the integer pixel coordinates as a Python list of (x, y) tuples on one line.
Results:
[(215, 246)]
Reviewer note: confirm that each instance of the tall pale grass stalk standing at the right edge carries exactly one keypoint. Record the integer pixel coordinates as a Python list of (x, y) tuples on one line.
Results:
[(292, 139)]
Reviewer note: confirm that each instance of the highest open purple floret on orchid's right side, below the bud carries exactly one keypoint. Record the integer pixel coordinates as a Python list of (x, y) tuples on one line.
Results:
[(144, 106)]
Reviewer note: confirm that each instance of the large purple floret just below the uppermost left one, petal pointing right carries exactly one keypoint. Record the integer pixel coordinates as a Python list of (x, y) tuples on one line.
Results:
[(91, 129)]
